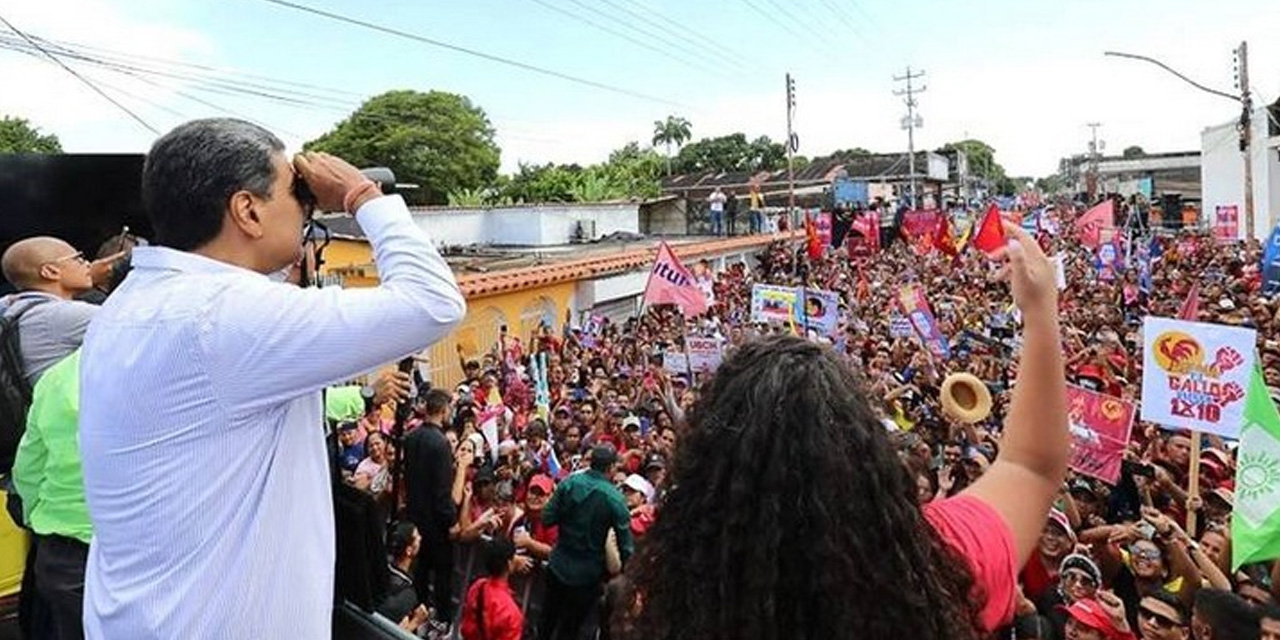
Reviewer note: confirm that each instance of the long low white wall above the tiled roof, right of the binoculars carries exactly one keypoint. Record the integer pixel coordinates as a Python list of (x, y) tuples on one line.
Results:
[(525, 226)]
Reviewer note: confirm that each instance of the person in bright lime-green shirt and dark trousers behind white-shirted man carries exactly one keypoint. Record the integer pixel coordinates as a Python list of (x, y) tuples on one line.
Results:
[(47, 473)]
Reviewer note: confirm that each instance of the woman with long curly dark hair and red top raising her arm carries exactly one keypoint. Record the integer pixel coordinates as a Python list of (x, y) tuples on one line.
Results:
[(792, 516)]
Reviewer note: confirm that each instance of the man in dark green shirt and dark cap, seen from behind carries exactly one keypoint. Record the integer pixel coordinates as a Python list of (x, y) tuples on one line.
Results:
[(586, 508)]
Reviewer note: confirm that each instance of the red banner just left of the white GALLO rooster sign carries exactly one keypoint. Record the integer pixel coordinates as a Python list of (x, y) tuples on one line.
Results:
[(1100, 432)]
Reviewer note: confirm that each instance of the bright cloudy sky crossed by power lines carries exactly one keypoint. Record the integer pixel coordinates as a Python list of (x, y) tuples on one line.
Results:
[(1026, 76)]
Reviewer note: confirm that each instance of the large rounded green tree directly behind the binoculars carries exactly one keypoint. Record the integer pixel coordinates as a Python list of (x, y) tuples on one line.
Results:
[(437, 140)]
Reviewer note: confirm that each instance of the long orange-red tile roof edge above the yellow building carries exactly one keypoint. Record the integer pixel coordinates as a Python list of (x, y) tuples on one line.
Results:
[(478, 286)]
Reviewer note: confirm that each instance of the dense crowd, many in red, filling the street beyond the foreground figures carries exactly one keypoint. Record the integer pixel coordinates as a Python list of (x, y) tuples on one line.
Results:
[(606, 383)]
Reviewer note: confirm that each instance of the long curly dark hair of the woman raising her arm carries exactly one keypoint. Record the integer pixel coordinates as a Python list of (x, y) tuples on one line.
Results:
[(793, 518)]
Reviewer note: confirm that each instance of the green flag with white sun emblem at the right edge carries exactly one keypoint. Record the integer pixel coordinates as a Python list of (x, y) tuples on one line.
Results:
[(1256, 519)]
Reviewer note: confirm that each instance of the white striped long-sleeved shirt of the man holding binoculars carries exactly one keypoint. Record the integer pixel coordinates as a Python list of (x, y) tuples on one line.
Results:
[(202, 433)]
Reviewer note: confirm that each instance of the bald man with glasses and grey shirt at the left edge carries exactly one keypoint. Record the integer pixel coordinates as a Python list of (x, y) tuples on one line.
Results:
[(49, 275)]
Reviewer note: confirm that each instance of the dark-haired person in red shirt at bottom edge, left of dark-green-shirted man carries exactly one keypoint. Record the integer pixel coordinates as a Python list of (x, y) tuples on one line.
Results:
[(490, 611)]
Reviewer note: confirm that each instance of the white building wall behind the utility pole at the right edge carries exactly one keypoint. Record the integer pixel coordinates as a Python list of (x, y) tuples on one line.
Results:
[(1223, 175)]
